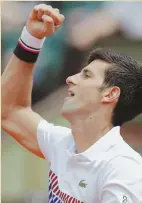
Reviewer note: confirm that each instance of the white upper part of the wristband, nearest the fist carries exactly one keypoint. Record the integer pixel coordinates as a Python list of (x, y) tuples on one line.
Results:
[(30, 40)]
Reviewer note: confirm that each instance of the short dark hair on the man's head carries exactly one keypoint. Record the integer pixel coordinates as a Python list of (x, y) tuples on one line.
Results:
[(126, 73)]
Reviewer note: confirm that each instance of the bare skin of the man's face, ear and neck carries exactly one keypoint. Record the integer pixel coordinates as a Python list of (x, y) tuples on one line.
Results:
[(89, 106)]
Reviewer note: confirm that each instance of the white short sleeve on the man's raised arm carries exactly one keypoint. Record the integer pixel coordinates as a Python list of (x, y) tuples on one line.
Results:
[(51, 137)]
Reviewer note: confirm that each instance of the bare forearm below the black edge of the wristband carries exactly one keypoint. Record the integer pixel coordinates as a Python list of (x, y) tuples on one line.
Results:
[(17, 82)]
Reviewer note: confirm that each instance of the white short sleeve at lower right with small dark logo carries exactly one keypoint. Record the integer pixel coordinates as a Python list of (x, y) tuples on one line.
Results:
[(122, 182)]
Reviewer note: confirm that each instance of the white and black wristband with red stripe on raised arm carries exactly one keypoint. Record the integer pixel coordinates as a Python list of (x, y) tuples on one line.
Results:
[(28, 47)]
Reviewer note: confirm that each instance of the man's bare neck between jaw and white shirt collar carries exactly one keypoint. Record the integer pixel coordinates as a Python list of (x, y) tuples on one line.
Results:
[(89, 129)]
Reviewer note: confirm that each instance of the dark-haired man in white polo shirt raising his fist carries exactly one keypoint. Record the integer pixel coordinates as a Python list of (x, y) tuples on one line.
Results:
[(91, 162)]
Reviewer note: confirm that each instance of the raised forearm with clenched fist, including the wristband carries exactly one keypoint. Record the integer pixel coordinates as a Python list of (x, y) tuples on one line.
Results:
[(17, 78)]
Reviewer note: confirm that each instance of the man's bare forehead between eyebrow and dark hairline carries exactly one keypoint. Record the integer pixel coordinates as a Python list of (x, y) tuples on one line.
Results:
[(98, 67)]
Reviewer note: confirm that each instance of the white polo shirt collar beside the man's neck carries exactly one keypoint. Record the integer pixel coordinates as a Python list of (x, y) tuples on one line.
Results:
[(102, 145)]
